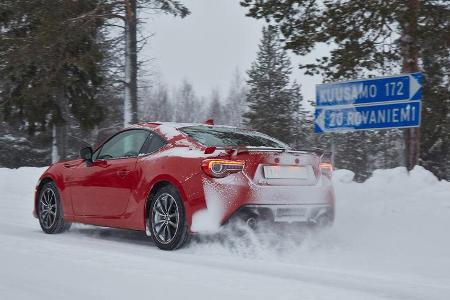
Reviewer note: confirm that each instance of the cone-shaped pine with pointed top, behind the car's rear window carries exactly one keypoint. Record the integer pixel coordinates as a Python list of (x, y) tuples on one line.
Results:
[(270, 97)]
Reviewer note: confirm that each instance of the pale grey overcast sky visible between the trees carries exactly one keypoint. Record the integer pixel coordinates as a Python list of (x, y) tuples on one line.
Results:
[(207, 46)]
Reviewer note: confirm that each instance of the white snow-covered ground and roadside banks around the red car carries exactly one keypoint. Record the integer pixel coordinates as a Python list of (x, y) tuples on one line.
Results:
[(390, 241)]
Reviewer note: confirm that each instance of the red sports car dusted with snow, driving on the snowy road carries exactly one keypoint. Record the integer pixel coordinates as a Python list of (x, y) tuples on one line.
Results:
[(167, 178)]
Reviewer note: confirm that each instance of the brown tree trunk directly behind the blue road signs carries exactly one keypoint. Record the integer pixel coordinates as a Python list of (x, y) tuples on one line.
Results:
[(409, 52)]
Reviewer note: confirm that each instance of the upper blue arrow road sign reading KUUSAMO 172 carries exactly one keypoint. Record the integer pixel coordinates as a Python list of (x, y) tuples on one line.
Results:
[(405, 87)]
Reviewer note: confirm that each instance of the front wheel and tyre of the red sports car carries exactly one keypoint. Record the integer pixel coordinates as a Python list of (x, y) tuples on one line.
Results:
[(50, 211)]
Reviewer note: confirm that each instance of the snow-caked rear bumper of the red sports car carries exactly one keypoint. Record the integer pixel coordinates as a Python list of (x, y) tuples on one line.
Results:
[(239, 196)]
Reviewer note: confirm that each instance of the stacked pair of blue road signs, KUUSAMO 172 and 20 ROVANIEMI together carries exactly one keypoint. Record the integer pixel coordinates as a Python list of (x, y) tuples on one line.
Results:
[(376, 103)]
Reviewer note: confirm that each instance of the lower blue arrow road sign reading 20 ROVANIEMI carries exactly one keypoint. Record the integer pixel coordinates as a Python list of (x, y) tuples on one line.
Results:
[(380, 116)]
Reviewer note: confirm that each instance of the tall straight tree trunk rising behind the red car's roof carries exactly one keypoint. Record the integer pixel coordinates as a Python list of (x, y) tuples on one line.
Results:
[(131, 66)]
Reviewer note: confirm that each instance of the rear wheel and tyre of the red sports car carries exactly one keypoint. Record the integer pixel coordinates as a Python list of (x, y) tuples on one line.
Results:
[(167, 219)]
